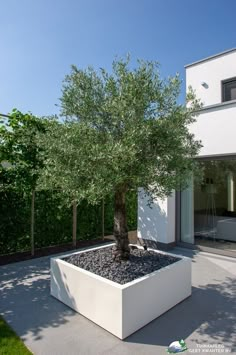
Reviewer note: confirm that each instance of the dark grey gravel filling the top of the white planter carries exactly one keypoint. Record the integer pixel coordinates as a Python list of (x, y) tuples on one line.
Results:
[(141, 263)]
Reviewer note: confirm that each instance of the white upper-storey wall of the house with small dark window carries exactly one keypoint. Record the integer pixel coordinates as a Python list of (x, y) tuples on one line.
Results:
[(215, 126)]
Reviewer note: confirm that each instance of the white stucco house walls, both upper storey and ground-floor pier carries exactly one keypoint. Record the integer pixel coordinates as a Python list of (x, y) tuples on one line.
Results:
[(215, 127)]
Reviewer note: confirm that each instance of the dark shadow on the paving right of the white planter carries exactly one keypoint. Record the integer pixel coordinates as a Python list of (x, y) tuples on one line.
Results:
[(210, 312)]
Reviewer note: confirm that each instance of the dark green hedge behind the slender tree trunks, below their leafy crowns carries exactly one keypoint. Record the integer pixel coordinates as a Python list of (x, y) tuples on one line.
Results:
[(53, 221)]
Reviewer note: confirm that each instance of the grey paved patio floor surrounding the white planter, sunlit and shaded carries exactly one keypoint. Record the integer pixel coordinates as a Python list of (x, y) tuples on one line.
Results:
[(48, 327)]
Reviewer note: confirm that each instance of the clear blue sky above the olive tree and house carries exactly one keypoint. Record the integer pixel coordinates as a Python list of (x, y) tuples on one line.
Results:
[(40, 39)]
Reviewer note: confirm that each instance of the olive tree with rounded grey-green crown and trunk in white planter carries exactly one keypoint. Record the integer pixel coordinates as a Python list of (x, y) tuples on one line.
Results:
[(123, 130)]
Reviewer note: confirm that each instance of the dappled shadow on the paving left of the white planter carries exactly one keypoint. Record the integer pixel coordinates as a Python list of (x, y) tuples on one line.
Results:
[(25, 300)]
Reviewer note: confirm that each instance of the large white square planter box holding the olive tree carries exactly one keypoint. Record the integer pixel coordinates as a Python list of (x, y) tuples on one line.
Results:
[(121, 309)]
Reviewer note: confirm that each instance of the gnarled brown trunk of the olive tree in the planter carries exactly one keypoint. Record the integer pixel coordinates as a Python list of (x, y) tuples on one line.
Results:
[(121, 250)]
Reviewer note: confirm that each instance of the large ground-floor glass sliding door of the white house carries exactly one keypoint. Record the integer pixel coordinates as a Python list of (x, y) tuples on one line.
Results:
[(208, 207)]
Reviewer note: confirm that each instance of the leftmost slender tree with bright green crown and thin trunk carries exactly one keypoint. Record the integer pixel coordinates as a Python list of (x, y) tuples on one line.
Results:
[(20, 157)]
